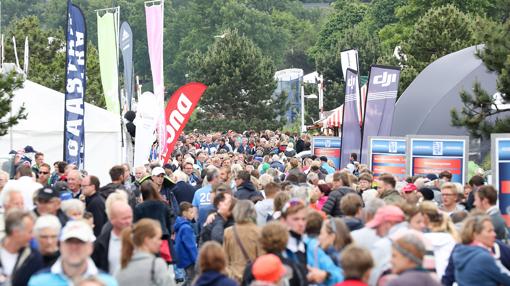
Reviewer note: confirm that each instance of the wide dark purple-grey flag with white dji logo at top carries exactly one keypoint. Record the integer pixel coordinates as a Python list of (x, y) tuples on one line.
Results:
[(380, 104)]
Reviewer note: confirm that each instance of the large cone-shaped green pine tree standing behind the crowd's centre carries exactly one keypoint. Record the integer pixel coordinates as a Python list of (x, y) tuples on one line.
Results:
[(240, 86)]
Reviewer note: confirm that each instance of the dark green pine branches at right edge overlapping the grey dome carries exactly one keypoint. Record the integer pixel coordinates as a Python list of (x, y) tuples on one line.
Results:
[(479, 106)]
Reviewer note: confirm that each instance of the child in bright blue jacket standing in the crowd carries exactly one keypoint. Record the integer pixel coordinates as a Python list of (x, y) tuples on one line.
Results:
[(185, 241)]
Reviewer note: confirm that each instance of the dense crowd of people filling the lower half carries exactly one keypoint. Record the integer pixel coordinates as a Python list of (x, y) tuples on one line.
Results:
[(246, 209)]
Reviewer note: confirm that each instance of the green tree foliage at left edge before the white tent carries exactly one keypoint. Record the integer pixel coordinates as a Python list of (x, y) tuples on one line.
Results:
[(8, 84)]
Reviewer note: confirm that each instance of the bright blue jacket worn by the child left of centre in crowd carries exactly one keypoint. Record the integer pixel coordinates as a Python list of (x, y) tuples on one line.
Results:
[(185, 245)]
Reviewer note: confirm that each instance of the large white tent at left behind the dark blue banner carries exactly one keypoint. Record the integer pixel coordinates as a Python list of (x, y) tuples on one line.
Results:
[(43, 129)]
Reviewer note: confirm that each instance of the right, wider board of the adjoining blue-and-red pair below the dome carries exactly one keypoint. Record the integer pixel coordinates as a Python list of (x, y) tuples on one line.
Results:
[(434, 154)]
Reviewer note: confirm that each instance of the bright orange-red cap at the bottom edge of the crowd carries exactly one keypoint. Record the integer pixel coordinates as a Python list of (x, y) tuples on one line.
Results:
[(268, 268)]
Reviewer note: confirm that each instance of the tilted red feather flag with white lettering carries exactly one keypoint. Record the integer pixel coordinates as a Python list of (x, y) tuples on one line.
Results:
[(179, 110)]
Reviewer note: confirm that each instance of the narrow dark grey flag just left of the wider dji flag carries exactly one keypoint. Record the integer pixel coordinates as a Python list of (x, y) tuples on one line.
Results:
[(351, 131)]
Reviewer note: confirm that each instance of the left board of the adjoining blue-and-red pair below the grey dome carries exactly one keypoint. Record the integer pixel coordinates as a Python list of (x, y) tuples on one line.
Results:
[(387, 155)]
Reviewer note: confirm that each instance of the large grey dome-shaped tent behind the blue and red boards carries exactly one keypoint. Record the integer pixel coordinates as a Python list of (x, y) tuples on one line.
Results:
[(424, 107)]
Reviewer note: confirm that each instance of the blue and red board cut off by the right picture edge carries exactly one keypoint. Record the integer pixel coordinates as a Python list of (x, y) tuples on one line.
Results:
[(501, 172)]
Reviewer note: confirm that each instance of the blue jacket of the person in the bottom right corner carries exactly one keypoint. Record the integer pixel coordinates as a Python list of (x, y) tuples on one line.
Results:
[(476, 266)]
